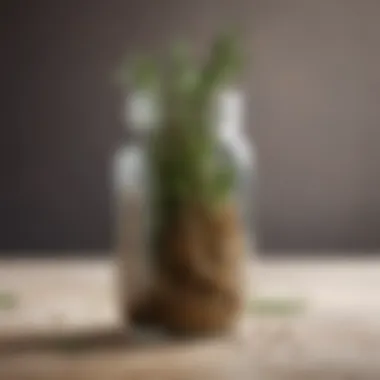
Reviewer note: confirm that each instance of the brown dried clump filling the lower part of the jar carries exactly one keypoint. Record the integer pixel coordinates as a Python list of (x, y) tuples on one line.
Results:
[(198, 284)]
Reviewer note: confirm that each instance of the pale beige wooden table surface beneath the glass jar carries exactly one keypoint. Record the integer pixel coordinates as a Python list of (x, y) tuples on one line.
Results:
[(65, 326)]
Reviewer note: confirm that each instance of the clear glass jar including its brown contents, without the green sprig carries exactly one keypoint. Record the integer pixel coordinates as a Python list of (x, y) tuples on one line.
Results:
[(195, 294)]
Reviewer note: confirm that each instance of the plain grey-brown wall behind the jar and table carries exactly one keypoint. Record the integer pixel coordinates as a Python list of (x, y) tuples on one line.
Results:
[(314, 86)]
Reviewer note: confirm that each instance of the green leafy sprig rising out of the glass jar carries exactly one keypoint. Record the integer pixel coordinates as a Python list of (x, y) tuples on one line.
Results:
[(183, 156)]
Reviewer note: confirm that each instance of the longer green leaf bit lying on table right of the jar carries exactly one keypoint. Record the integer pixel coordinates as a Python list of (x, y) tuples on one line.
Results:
[(271, 306)]
